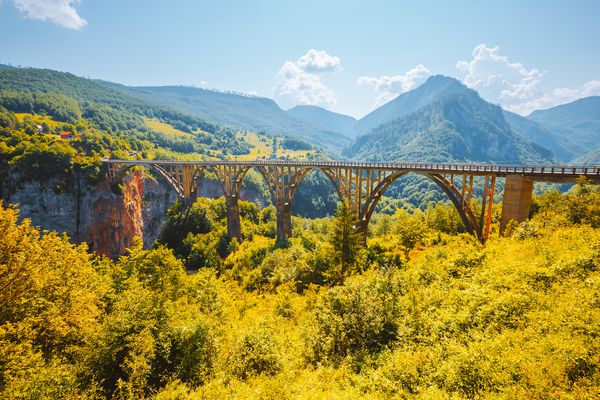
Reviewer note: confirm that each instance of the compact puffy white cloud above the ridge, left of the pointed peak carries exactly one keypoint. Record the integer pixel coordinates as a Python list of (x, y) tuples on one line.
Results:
[(301, 82)]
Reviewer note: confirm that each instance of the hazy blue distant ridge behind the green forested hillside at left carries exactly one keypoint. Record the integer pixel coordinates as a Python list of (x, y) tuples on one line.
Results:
[(236, 110)]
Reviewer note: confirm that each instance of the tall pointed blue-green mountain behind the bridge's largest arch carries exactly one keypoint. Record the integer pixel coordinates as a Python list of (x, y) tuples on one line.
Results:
[(453, 124)]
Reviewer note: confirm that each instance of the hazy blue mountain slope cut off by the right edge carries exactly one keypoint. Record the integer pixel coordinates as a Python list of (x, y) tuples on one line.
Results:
[(578, 122)]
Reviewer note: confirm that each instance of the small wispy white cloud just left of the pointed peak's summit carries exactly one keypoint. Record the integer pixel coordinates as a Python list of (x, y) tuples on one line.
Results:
[(389, 87)]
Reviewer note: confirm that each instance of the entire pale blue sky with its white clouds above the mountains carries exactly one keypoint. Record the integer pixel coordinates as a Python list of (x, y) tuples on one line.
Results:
[(347, 56)]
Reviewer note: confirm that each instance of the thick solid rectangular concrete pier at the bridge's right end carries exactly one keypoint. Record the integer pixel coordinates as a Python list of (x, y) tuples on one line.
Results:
[(517, 199)]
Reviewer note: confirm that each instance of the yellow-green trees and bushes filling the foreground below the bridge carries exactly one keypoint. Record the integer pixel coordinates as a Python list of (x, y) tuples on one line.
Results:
[(422, 312)]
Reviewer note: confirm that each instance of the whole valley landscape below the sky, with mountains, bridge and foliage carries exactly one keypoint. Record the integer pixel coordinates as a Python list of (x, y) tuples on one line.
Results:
[(243, 273)]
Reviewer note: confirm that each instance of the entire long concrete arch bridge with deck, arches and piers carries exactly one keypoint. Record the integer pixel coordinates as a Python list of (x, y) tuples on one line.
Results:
[(362, 184)]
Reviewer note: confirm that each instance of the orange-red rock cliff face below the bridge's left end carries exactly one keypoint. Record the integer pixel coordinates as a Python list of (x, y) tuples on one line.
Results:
[(115, 220)]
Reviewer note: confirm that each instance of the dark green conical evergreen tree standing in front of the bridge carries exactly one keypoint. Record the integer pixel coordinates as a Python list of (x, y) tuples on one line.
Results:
[(345, 241)]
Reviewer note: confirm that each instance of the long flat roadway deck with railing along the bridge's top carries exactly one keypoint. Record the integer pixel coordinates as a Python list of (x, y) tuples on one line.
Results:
[(556, 173)]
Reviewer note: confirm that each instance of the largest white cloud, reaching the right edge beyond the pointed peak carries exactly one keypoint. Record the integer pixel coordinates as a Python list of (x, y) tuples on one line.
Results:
[(514, 86)]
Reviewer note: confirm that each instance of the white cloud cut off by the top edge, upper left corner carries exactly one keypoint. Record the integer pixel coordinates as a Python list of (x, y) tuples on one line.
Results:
[(59, 12)]
